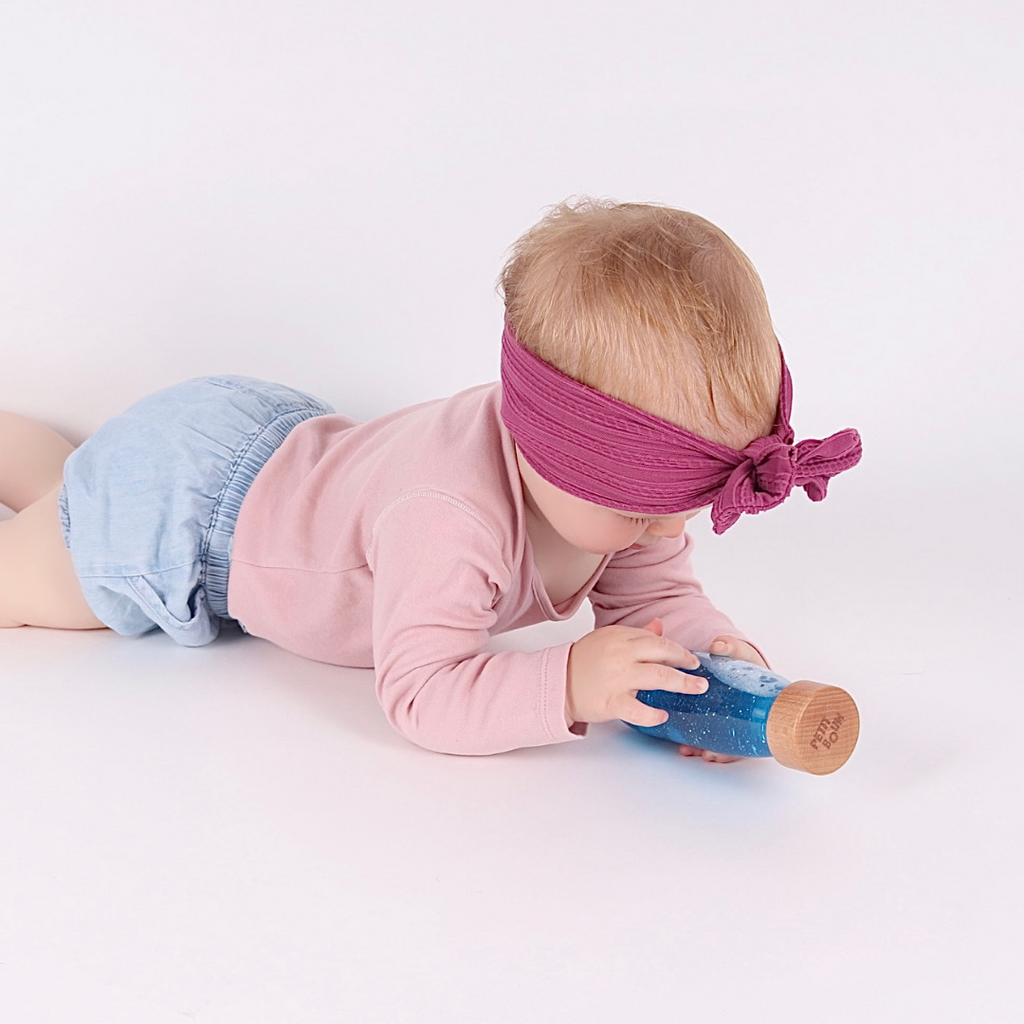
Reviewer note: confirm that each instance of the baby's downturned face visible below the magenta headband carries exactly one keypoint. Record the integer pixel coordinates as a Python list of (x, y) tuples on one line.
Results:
[(593, 528)]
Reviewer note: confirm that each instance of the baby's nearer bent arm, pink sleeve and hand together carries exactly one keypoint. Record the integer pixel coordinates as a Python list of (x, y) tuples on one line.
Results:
[(439, 572)]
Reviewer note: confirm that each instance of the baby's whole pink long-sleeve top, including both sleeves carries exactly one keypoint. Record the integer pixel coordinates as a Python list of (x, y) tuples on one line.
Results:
[(401, 544)]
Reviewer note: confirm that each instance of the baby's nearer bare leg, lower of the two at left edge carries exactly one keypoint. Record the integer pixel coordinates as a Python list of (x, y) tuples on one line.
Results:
[(38, 585)]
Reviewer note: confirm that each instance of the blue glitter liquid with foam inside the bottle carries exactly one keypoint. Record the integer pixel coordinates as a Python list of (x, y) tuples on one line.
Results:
[(731, 717)]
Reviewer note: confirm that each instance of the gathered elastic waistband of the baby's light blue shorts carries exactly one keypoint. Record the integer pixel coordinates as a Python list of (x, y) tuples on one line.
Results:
[(218, 548)]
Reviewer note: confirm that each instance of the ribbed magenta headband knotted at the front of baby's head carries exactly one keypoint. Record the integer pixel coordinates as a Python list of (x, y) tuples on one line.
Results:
[(608, 452)]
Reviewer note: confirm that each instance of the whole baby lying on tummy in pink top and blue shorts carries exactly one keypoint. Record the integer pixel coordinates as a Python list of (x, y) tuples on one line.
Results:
[(642, 383)]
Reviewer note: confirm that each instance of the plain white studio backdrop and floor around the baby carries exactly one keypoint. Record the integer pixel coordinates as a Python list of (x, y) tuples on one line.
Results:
[(323, 193)]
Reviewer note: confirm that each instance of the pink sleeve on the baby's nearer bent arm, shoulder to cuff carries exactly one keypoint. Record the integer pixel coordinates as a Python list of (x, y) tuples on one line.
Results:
[(438, 574)]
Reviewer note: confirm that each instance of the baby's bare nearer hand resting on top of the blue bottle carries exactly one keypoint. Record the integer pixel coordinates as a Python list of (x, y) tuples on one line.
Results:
[(609, 666)]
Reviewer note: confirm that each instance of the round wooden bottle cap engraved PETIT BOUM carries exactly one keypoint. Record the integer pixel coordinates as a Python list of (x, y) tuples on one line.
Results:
[(814, 728)]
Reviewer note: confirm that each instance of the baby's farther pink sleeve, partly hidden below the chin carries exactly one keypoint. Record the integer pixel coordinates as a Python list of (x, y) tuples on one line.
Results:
[(659, 582)]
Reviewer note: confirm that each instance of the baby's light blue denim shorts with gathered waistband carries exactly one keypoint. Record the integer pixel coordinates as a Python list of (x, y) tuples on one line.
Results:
[(150, 502)]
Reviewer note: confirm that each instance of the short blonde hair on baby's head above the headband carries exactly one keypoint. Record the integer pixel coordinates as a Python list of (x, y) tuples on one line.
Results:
[(653, 306)]
